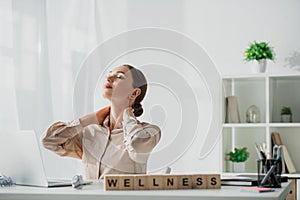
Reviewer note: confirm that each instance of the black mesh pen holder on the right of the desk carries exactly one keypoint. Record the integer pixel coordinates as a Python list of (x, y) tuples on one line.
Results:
[(272, 173)]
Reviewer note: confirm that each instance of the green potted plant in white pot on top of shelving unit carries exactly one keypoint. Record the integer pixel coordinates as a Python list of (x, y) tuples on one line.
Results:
[(259, 53)]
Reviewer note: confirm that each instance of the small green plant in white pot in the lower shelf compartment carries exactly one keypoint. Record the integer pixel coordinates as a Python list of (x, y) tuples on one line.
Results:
[(239, 156)]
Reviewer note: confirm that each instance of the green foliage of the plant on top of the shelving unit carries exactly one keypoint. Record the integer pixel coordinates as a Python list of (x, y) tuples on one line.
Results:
[(258, 51)]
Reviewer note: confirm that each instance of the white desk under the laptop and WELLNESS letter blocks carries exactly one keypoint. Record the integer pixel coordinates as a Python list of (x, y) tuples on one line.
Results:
[(95, 191)]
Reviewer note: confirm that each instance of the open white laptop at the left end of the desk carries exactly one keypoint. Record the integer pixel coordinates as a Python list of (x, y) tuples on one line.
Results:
[(20, 159)]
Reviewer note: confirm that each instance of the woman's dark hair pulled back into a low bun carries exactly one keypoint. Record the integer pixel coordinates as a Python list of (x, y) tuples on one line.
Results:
[(139, 81)]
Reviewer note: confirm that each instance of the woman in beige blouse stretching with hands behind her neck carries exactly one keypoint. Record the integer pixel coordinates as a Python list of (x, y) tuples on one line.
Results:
[(112, 140)]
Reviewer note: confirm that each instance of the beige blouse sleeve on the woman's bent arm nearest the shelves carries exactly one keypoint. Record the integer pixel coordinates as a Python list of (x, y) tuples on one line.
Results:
[(139, 138)]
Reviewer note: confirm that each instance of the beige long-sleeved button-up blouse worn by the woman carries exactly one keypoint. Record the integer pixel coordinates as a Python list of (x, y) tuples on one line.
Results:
[(120, 151)]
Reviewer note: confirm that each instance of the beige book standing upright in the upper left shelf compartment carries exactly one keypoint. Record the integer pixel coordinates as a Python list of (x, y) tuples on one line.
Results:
[(232, 110)]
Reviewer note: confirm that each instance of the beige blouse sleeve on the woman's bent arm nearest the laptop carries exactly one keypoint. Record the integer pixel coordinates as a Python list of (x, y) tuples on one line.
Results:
[(65, 138)]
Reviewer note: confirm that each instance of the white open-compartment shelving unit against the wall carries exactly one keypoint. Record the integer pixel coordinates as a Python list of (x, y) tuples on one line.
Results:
[(269, 93)]
